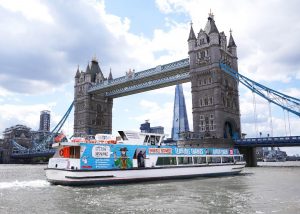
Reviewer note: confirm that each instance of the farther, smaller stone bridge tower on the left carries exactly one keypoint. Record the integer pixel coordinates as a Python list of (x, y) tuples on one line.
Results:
[(92, 112)]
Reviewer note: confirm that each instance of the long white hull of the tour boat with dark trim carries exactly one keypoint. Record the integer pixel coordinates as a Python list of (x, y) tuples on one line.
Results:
[(103, 177)]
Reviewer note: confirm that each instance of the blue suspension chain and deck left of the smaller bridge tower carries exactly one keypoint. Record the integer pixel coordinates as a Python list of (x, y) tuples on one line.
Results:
[(43, 148)]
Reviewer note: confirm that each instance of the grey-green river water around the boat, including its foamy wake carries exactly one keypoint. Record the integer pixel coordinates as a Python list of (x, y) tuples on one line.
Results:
[(267, 189)]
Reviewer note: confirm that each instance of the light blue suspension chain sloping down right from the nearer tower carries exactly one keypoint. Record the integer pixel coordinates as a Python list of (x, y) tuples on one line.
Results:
[(286, 102)]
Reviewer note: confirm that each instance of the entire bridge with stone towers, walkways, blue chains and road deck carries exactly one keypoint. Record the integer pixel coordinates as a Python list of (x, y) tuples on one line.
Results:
[(212, 69)]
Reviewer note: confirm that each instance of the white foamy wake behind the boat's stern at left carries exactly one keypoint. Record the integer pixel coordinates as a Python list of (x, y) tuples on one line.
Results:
[(24, 184)]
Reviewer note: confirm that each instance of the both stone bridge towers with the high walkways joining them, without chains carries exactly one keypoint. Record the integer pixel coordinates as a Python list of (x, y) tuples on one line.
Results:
[(215, 100)]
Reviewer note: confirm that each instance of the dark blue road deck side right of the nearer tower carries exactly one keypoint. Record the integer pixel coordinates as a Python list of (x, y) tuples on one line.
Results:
[(268, 141)]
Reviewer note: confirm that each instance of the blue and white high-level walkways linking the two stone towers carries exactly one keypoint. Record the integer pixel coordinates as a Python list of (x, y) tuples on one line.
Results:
[(150, 79)]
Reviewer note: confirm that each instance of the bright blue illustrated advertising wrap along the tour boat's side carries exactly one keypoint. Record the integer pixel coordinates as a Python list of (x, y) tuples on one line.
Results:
[(111, 156)]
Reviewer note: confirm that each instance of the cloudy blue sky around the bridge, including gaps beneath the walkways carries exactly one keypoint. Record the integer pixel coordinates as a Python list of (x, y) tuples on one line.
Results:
[(43, 42)]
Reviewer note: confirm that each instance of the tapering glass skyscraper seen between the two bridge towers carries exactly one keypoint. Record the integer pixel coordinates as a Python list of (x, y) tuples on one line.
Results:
[(180, 120)]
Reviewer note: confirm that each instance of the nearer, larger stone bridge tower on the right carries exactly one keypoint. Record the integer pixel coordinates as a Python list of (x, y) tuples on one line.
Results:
[(215, 99)]
